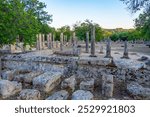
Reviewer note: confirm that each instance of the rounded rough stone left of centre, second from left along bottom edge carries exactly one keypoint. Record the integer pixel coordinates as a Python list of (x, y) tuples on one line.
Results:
[(29, 94)]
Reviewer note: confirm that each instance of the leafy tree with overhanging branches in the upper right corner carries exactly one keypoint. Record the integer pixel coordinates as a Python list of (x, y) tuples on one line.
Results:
[(142, 23)]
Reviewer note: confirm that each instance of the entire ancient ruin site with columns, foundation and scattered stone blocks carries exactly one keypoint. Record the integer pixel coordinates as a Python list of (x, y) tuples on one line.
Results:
[(75, 70)]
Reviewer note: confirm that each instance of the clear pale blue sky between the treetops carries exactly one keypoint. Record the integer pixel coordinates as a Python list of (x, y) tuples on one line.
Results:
[(107, 13)]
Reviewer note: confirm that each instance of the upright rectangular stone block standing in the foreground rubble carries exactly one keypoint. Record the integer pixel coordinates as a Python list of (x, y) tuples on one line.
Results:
[(107, 86)]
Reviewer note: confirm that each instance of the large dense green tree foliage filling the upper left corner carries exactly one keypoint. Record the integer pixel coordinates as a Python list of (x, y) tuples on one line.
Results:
[(23, 19)]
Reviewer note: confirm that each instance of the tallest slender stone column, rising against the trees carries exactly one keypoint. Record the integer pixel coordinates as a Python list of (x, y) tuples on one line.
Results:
[(93, 42)]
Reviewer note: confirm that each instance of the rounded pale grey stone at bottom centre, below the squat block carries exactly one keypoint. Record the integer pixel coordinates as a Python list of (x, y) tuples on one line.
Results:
[(82, 95)]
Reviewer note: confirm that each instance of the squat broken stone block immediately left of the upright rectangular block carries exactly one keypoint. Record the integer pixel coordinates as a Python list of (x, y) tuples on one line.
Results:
[(87, 85)]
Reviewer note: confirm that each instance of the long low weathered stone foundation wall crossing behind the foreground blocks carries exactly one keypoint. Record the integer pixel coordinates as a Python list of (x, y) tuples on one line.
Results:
[(83, 69)]
